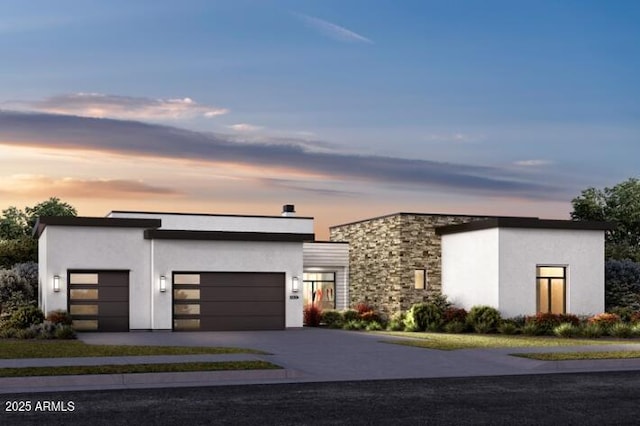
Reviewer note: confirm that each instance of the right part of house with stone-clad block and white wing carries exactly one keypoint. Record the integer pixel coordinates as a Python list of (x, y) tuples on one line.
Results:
[(518, 265)]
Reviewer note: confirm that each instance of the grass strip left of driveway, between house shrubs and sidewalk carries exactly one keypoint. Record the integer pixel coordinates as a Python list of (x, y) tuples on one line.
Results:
[(17, 349)]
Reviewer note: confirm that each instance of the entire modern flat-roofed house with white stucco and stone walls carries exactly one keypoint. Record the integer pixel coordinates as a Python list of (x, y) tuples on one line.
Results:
[(178, 271)]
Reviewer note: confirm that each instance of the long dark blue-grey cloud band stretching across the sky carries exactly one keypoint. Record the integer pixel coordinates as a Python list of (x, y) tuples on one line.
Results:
[(155, 141)]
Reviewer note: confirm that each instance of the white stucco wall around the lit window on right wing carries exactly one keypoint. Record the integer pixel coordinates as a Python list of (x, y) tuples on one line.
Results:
[(581, 251)]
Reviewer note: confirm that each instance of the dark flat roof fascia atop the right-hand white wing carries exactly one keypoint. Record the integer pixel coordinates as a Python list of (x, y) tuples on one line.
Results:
[(524, 223)]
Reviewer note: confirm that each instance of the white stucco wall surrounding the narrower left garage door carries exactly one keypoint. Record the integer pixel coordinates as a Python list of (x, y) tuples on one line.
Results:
[(62, 248)]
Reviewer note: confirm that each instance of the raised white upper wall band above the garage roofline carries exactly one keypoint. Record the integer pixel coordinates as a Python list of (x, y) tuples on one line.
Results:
[(193, 222)]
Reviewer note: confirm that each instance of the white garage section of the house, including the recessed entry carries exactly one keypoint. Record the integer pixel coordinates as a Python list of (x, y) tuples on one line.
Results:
[(170, 271)]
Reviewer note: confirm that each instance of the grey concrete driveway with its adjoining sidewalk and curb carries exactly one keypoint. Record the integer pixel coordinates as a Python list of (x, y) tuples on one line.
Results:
[(306, 355)]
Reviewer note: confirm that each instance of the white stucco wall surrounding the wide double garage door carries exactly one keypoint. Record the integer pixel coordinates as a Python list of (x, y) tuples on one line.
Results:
[(226, 256)]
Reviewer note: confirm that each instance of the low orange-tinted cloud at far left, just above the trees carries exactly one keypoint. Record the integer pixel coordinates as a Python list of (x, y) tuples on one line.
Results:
[(39, 185)]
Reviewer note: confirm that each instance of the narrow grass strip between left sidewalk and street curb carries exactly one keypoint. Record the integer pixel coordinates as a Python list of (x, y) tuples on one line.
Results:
[(137, 368)]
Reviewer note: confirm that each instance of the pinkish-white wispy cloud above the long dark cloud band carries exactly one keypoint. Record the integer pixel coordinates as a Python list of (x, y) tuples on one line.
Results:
[(100, 105)]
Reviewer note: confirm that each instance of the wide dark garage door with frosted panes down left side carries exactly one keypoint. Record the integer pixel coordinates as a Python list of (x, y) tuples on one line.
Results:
[(216, 301)]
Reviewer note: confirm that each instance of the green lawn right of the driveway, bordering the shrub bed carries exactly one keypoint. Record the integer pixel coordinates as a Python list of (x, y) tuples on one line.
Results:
[(450, 342)]
